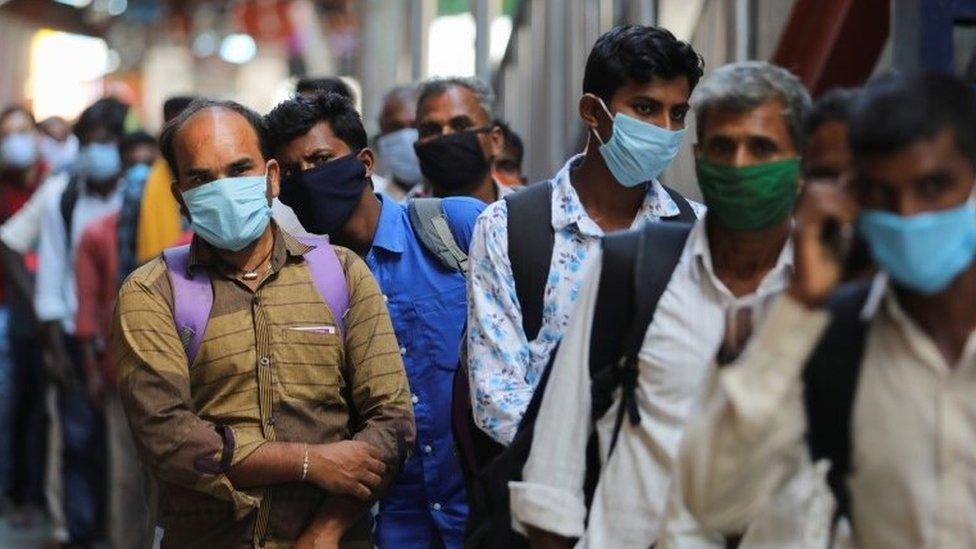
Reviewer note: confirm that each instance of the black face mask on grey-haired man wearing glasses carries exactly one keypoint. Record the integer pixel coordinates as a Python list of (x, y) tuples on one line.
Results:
[(453, 163)]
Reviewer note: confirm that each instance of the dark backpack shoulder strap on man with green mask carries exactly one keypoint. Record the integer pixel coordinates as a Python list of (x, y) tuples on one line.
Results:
[(636, 269)]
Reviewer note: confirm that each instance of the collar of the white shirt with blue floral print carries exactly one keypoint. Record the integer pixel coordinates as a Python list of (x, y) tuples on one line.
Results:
[(567, 209)]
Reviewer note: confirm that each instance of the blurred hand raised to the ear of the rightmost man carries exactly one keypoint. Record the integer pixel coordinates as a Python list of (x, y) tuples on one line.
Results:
[(824, 220)]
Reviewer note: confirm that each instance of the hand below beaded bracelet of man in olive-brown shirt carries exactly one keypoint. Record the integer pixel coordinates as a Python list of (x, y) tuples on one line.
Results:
[(349, 467)]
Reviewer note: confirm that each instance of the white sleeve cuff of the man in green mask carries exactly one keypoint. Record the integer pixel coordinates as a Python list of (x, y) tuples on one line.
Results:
[(546, 508)]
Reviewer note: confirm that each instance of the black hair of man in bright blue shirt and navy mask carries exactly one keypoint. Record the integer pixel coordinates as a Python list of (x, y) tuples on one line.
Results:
[(293, 118)]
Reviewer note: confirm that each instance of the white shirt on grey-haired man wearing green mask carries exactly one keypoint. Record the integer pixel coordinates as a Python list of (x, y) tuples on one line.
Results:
[(675, 363)]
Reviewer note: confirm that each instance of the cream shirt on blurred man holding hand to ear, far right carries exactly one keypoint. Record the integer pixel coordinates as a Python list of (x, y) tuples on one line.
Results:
[(913, 475)]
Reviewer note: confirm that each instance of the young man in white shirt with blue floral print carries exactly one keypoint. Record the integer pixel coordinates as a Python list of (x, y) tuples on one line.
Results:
[(636, 87)]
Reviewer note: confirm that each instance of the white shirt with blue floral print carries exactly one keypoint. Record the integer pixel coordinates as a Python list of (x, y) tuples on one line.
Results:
[(505, 366)]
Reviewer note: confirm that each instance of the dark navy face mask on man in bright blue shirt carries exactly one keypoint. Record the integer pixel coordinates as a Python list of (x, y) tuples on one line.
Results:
[(324, 197)]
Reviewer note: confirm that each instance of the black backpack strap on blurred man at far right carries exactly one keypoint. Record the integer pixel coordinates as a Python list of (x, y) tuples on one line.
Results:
[(830, 385)]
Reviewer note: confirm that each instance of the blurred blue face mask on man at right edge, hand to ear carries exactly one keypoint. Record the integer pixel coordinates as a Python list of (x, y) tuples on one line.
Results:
[(923, 252)]
